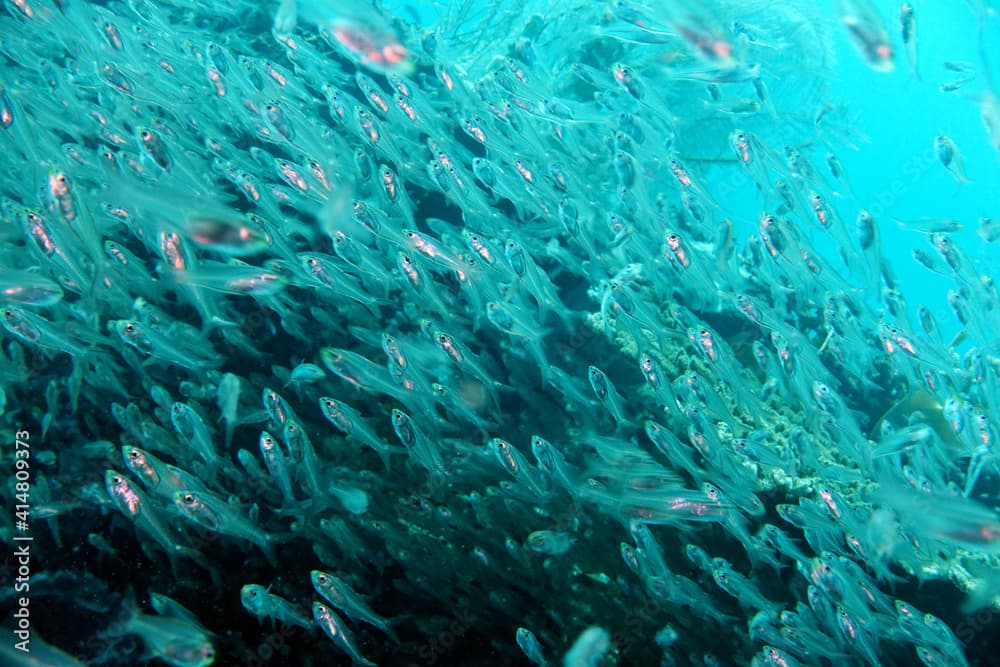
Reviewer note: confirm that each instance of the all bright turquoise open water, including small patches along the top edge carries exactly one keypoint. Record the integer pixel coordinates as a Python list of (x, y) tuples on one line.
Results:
[(894, 171)]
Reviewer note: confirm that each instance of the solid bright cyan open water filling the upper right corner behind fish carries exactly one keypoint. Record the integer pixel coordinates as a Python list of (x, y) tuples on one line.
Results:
[(896, 174)]
